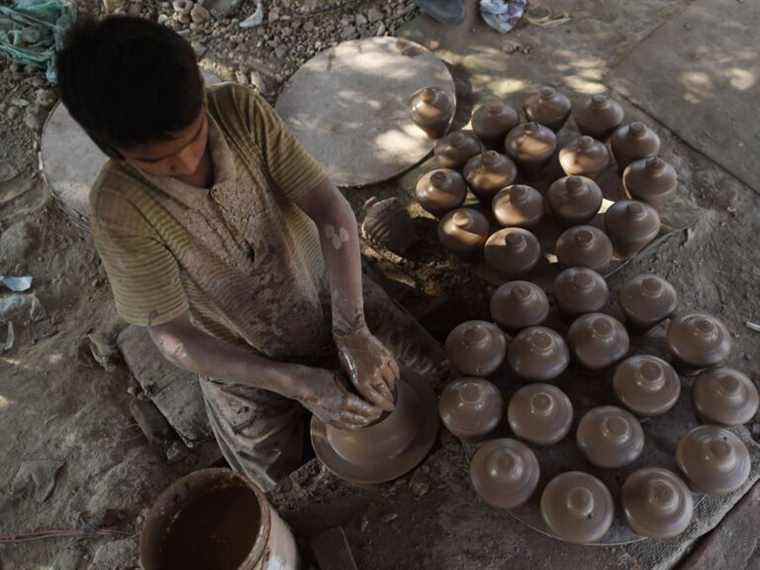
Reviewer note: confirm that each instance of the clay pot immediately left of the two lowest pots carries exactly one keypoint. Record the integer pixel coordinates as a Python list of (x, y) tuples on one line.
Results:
[(504, 473)]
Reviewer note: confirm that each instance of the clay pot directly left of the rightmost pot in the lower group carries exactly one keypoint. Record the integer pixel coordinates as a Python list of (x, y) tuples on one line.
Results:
[(646, 385)]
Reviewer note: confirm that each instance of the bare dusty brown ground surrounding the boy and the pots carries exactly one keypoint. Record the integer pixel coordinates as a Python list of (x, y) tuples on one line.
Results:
[(74, 457)]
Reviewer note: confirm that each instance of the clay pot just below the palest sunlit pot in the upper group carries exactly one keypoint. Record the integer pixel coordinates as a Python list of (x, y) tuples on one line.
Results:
[(574, 200)]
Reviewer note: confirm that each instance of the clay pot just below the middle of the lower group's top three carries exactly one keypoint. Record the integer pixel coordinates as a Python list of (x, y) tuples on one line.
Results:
[(598, 341)]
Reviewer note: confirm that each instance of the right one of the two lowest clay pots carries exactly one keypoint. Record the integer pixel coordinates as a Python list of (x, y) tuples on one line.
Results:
[(657, 503)]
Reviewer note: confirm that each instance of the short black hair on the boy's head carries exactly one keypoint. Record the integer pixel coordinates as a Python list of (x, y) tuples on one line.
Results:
[(129, 81)]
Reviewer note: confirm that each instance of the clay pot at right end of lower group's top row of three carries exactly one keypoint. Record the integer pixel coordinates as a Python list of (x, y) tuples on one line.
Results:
[(647, 300)]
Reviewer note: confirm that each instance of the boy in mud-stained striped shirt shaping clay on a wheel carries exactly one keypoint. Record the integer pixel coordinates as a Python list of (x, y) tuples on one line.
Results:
[(220, 234)]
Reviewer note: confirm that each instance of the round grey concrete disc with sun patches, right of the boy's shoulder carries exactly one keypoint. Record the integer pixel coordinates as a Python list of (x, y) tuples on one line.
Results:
[(349, 107)]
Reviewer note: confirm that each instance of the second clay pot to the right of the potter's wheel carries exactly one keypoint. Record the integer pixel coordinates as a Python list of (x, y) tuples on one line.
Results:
[(540, 413)]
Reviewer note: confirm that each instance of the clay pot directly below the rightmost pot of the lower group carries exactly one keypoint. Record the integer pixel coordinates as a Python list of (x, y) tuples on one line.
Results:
[(714, 460)]
